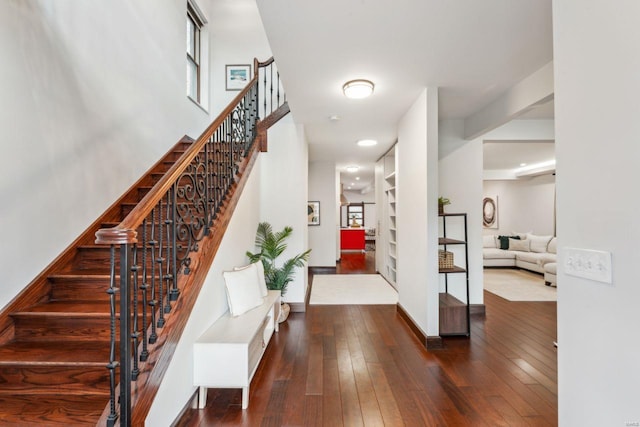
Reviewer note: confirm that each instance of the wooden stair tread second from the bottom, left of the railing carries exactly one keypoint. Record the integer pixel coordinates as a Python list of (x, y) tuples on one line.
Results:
[(70, 353)]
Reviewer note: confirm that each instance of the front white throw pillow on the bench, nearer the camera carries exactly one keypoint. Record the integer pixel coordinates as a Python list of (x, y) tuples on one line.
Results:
[(243, 290)]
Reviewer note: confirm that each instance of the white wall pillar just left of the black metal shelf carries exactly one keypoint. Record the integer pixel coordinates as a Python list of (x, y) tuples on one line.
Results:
[(417, 214)]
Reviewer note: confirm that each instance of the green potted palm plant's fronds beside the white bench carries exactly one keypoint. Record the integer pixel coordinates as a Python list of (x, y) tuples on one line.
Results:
[(271, 245)]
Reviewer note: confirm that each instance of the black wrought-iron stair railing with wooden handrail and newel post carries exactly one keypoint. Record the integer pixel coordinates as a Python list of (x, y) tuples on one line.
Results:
[(153, 246)]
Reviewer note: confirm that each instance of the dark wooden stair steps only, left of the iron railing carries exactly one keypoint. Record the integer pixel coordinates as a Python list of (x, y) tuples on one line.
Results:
[(53, 370)]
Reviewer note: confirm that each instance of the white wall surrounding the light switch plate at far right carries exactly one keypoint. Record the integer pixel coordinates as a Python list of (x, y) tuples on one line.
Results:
[(597, 132)]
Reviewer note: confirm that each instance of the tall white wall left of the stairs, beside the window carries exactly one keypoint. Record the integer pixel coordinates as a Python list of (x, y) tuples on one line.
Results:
[(84, 112)]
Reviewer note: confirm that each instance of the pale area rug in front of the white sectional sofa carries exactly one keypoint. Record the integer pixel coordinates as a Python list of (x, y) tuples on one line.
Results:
[(518, 285)]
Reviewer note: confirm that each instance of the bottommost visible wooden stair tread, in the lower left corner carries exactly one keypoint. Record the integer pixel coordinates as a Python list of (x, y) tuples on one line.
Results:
[(52, 409)]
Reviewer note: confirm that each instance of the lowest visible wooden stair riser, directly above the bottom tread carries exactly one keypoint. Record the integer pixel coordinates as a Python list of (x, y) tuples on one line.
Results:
[(29, 379)]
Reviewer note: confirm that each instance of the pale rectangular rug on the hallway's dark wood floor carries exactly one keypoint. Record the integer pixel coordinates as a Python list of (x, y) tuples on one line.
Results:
[(351, 289)]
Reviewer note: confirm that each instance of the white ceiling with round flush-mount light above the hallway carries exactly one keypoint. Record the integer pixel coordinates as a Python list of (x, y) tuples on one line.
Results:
[(472, 50)]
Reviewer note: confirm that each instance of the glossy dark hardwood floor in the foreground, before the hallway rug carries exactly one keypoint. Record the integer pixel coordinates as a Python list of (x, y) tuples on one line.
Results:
[(361, 365)]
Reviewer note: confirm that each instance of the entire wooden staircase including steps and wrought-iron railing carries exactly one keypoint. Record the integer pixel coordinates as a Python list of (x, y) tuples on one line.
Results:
[(59, 344)]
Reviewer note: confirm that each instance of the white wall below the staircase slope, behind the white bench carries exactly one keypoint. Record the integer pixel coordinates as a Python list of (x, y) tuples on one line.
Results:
[(177, 386)]
